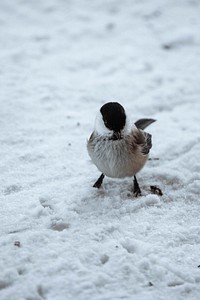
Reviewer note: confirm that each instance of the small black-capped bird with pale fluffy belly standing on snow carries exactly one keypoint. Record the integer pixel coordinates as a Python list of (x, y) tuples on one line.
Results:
[(119, 148)]
